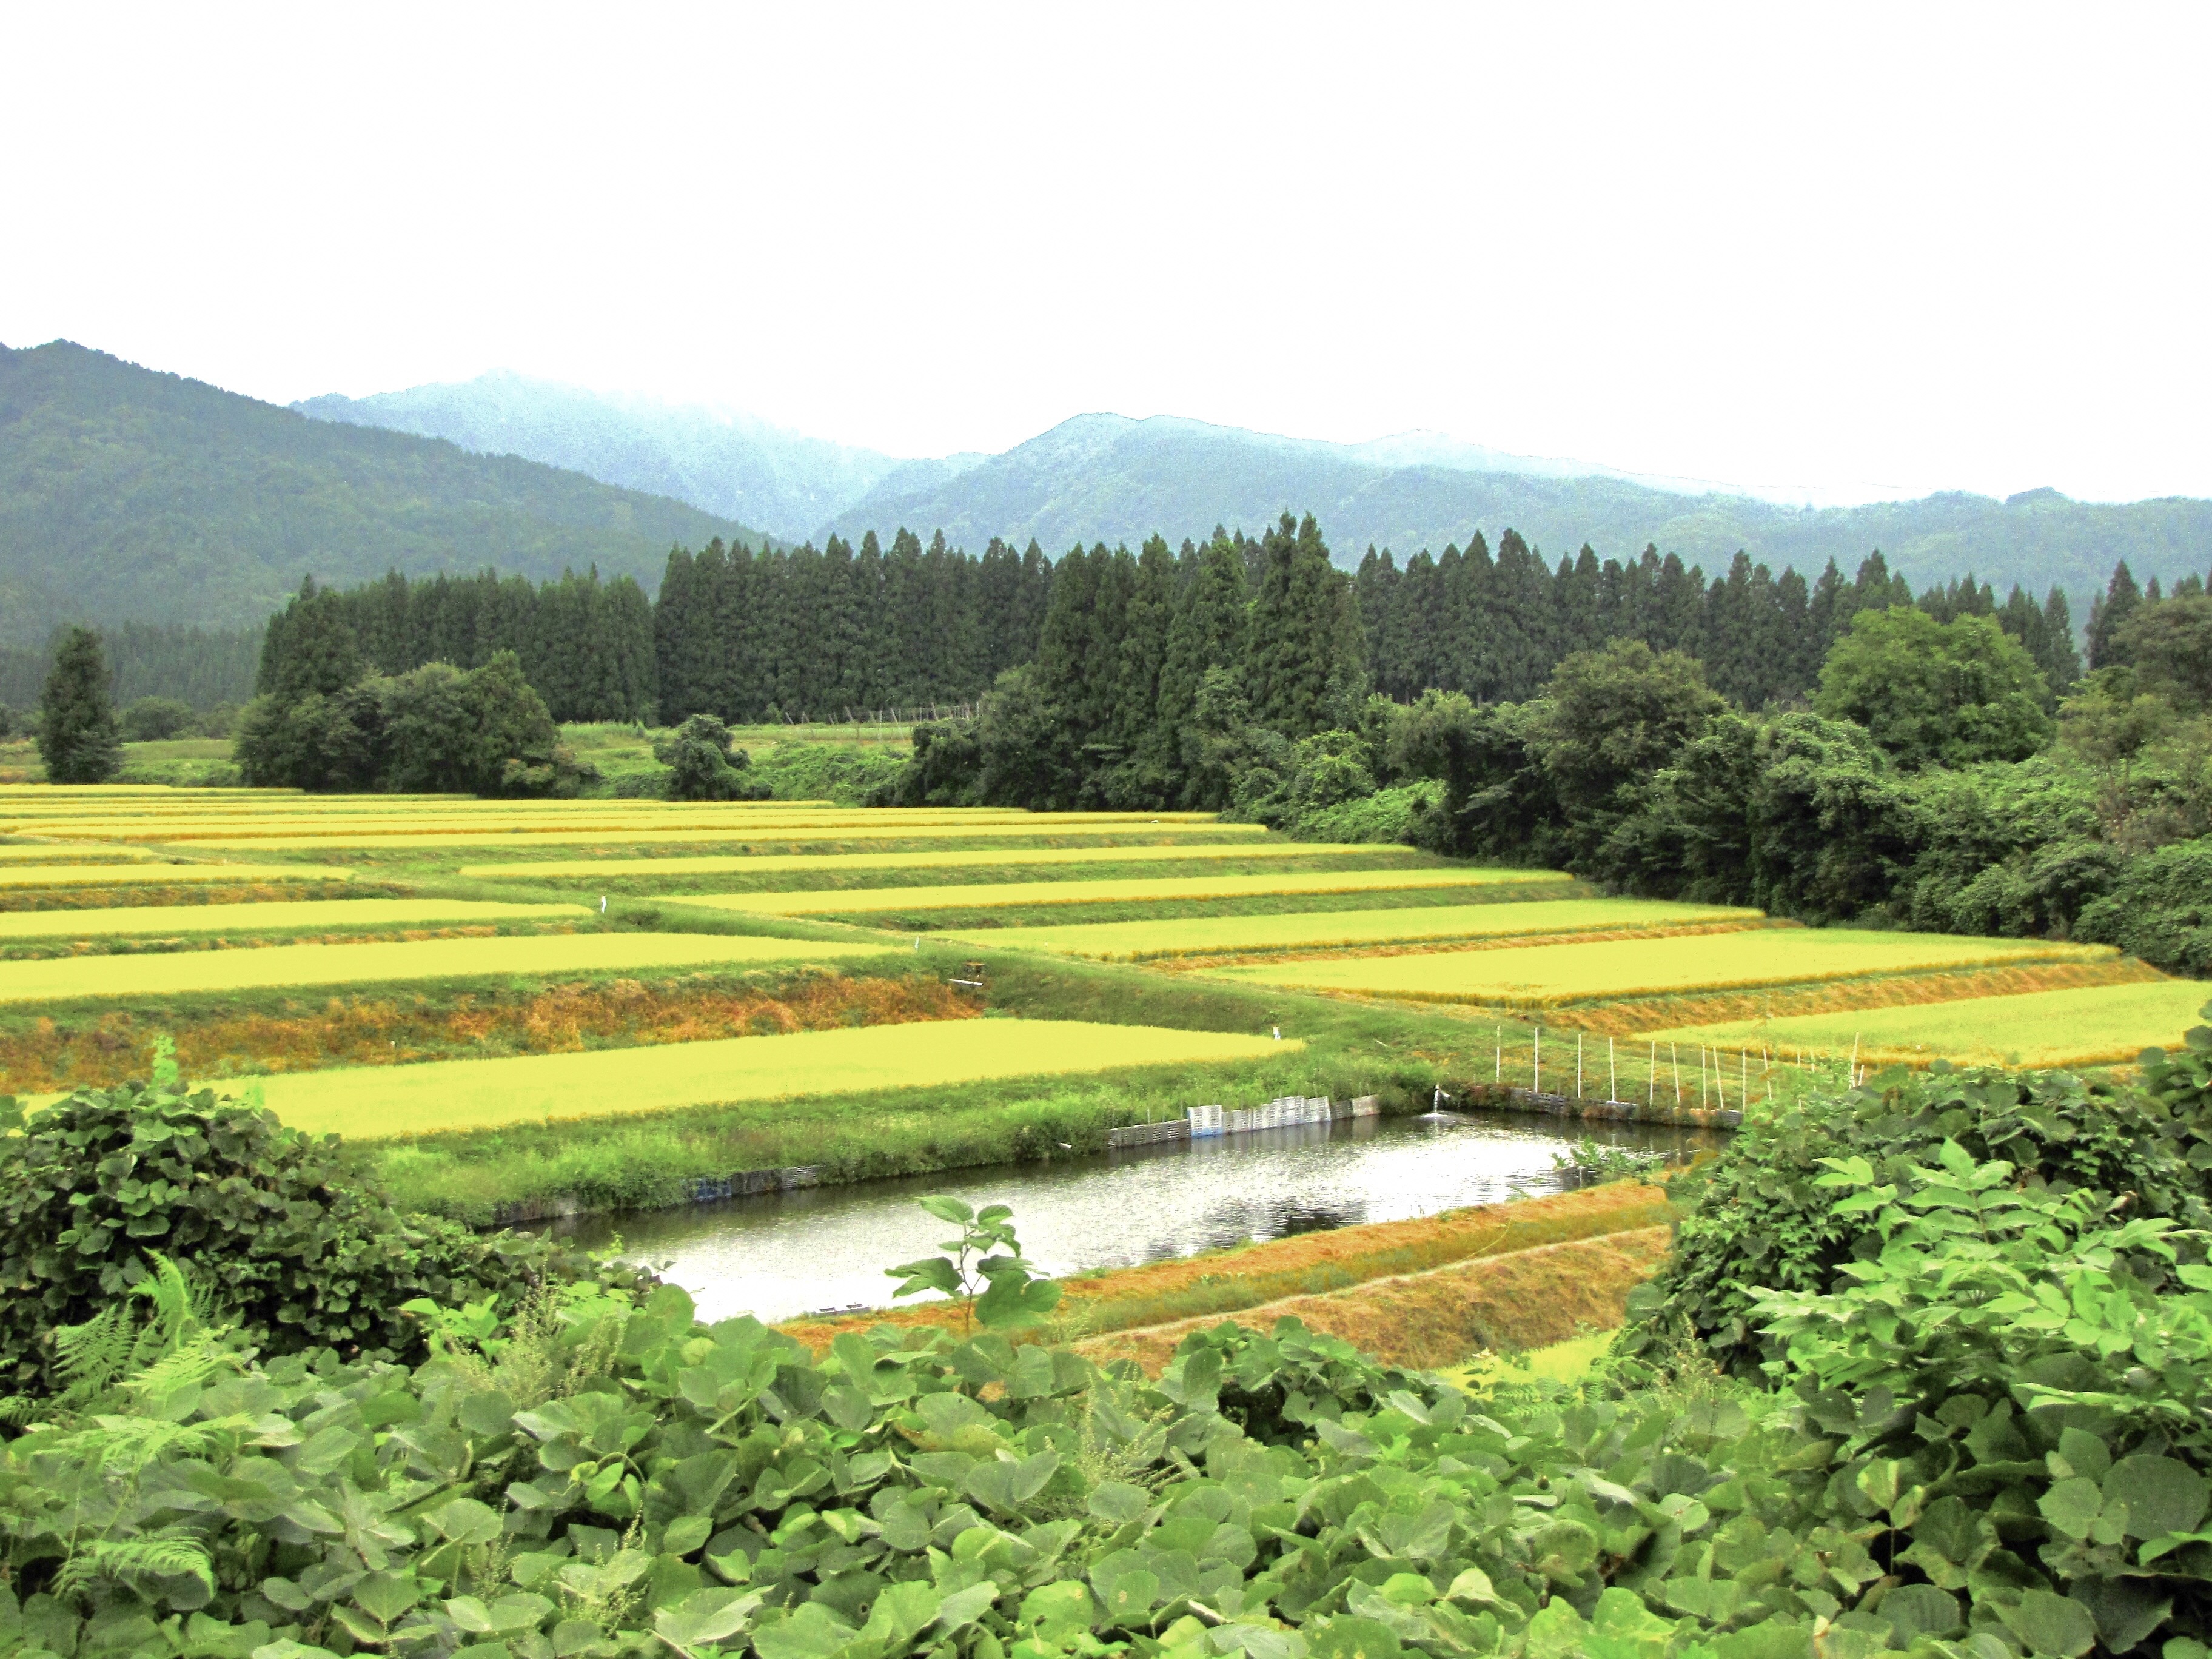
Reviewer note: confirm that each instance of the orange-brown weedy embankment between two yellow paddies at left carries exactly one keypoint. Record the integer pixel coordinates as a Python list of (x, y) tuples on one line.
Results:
[(271, 1032)]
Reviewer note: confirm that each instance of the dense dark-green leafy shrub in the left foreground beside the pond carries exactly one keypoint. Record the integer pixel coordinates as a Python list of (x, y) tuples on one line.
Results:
[(295, 1246)]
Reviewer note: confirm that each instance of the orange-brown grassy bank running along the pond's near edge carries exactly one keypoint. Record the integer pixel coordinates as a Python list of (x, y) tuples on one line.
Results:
[(1311, 1264)]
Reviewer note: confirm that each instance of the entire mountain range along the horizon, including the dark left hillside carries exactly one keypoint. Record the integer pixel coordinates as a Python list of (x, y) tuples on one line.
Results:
[(143, 497)]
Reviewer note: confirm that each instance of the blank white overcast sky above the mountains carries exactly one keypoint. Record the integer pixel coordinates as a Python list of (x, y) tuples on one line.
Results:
[(1859, 249)]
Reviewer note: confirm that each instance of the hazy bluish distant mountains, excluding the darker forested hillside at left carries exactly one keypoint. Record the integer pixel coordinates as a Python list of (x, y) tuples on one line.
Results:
[(1112, 479)]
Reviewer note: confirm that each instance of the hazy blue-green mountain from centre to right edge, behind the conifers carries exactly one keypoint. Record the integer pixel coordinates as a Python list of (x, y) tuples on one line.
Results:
[(1109, 479)]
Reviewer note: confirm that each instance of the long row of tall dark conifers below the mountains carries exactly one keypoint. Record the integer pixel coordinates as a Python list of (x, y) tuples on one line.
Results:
[(1120, 640)]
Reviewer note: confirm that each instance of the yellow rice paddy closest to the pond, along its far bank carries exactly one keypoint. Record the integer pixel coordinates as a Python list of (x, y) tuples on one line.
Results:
[(486, 1094)]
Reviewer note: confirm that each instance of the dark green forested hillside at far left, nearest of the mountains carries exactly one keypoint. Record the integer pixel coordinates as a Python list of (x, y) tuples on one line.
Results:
[(138, 497)]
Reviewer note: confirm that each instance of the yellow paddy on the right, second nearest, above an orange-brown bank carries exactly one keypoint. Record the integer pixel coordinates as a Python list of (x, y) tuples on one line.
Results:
[(1552, 977)]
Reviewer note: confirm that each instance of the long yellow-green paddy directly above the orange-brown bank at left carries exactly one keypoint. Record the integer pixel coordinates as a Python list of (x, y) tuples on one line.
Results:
[(408, 963)]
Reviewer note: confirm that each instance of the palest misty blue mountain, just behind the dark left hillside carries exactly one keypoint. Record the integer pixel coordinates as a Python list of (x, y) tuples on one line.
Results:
[(724, 463)]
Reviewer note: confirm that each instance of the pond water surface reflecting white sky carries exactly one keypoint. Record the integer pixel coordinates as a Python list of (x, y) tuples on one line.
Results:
[(793, 1253)]
